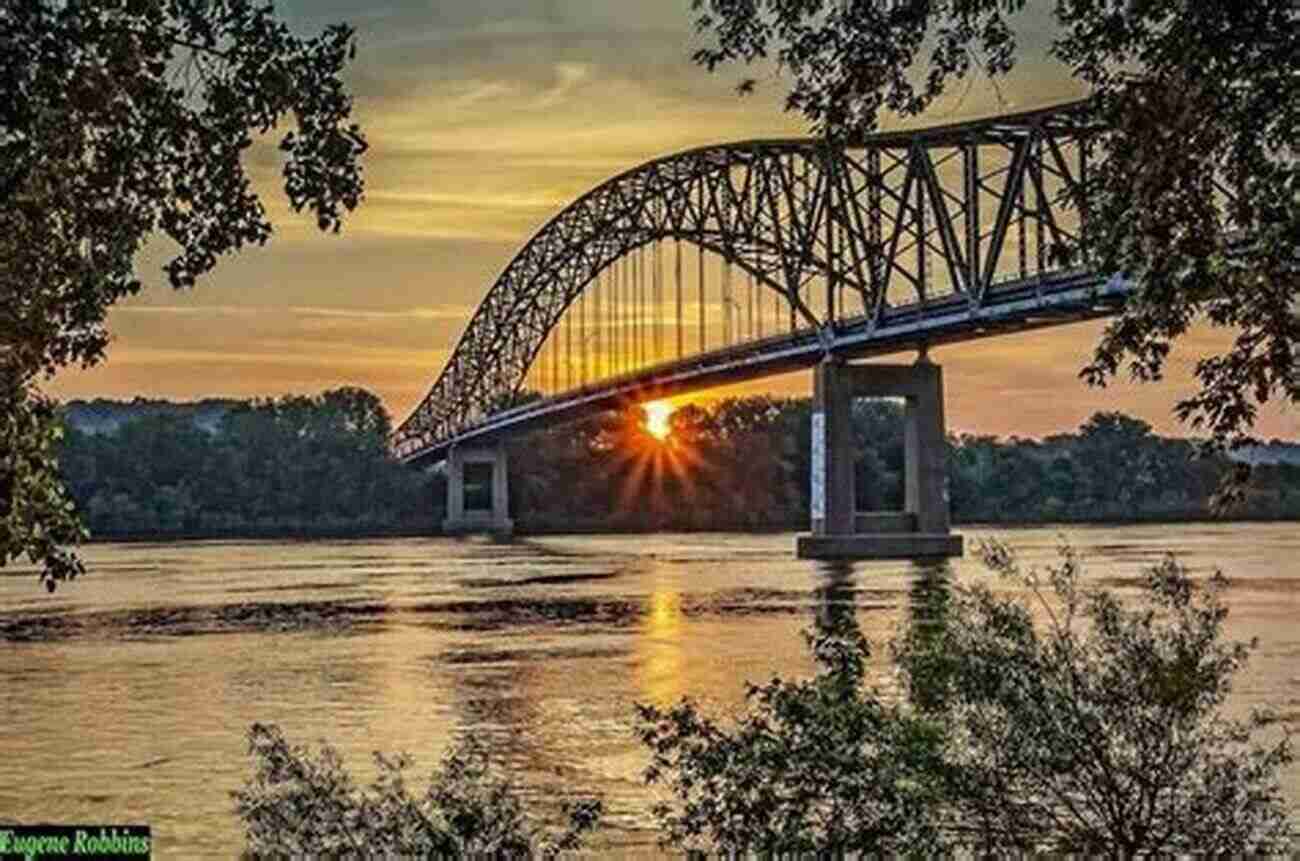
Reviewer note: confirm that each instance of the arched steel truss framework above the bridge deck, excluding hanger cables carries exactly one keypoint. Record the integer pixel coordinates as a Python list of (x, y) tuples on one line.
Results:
[(895, 223)]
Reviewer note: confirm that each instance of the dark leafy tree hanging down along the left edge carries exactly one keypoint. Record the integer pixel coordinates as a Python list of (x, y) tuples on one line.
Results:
[(122, 120)]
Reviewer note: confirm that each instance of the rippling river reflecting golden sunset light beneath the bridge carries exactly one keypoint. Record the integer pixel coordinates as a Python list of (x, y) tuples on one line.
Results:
[(128, 694)]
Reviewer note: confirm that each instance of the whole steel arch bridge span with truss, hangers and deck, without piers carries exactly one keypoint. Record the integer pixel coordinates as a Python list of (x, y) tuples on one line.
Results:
[(896, 241)]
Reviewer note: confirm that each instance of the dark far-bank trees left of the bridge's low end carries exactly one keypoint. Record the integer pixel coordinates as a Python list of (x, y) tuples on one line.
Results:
[(298, 465)]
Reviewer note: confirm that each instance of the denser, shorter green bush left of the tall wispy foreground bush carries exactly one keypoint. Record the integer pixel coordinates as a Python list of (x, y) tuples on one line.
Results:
[(811, 767)]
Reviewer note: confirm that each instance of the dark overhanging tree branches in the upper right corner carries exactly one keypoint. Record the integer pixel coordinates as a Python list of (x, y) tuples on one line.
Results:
[(1195, 98)]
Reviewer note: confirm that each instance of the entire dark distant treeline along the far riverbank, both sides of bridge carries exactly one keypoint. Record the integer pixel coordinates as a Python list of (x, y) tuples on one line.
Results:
[(320, 466)]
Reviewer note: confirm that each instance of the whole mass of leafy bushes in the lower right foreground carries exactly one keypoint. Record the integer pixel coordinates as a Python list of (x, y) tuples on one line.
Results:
[(1098, 732)]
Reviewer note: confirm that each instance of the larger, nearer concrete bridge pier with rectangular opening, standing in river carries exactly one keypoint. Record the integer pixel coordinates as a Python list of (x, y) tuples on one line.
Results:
[(922, 529)]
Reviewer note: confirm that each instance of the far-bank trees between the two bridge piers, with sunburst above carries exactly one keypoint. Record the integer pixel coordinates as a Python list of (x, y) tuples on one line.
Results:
[(755, 451)]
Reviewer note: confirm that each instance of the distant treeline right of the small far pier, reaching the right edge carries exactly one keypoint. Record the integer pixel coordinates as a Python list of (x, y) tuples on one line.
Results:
[(744, 464)]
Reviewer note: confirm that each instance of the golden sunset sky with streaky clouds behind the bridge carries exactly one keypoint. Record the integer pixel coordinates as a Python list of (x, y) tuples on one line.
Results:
[(488, 118)]
